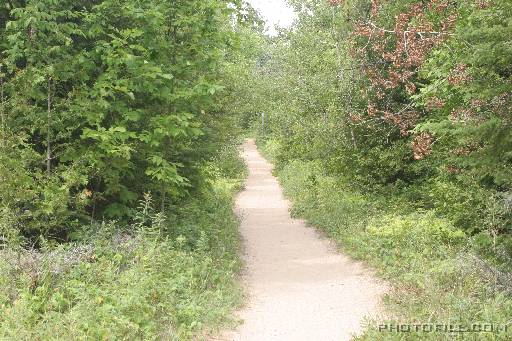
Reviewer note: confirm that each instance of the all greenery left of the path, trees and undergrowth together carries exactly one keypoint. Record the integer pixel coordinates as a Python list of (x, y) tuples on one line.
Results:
[(121, 110)]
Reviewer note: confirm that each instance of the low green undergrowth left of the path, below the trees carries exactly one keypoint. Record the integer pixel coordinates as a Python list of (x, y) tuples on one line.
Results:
[(163, 277)]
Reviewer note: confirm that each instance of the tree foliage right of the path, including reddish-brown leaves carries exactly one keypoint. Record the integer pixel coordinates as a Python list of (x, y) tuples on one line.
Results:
[(430, 125)]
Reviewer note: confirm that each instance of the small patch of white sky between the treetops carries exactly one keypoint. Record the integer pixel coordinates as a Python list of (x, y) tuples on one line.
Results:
[(275, 12)]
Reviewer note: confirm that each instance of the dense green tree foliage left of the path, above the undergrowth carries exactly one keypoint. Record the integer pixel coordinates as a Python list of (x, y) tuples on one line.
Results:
[(113, 99)]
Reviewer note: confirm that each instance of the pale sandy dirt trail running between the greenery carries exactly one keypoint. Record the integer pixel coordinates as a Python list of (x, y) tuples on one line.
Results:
[(299, 287)]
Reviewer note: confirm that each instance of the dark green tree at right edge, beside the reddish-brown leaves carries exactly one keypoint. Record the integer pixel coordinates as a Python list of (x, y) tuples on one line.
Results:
[(474, 119)]
